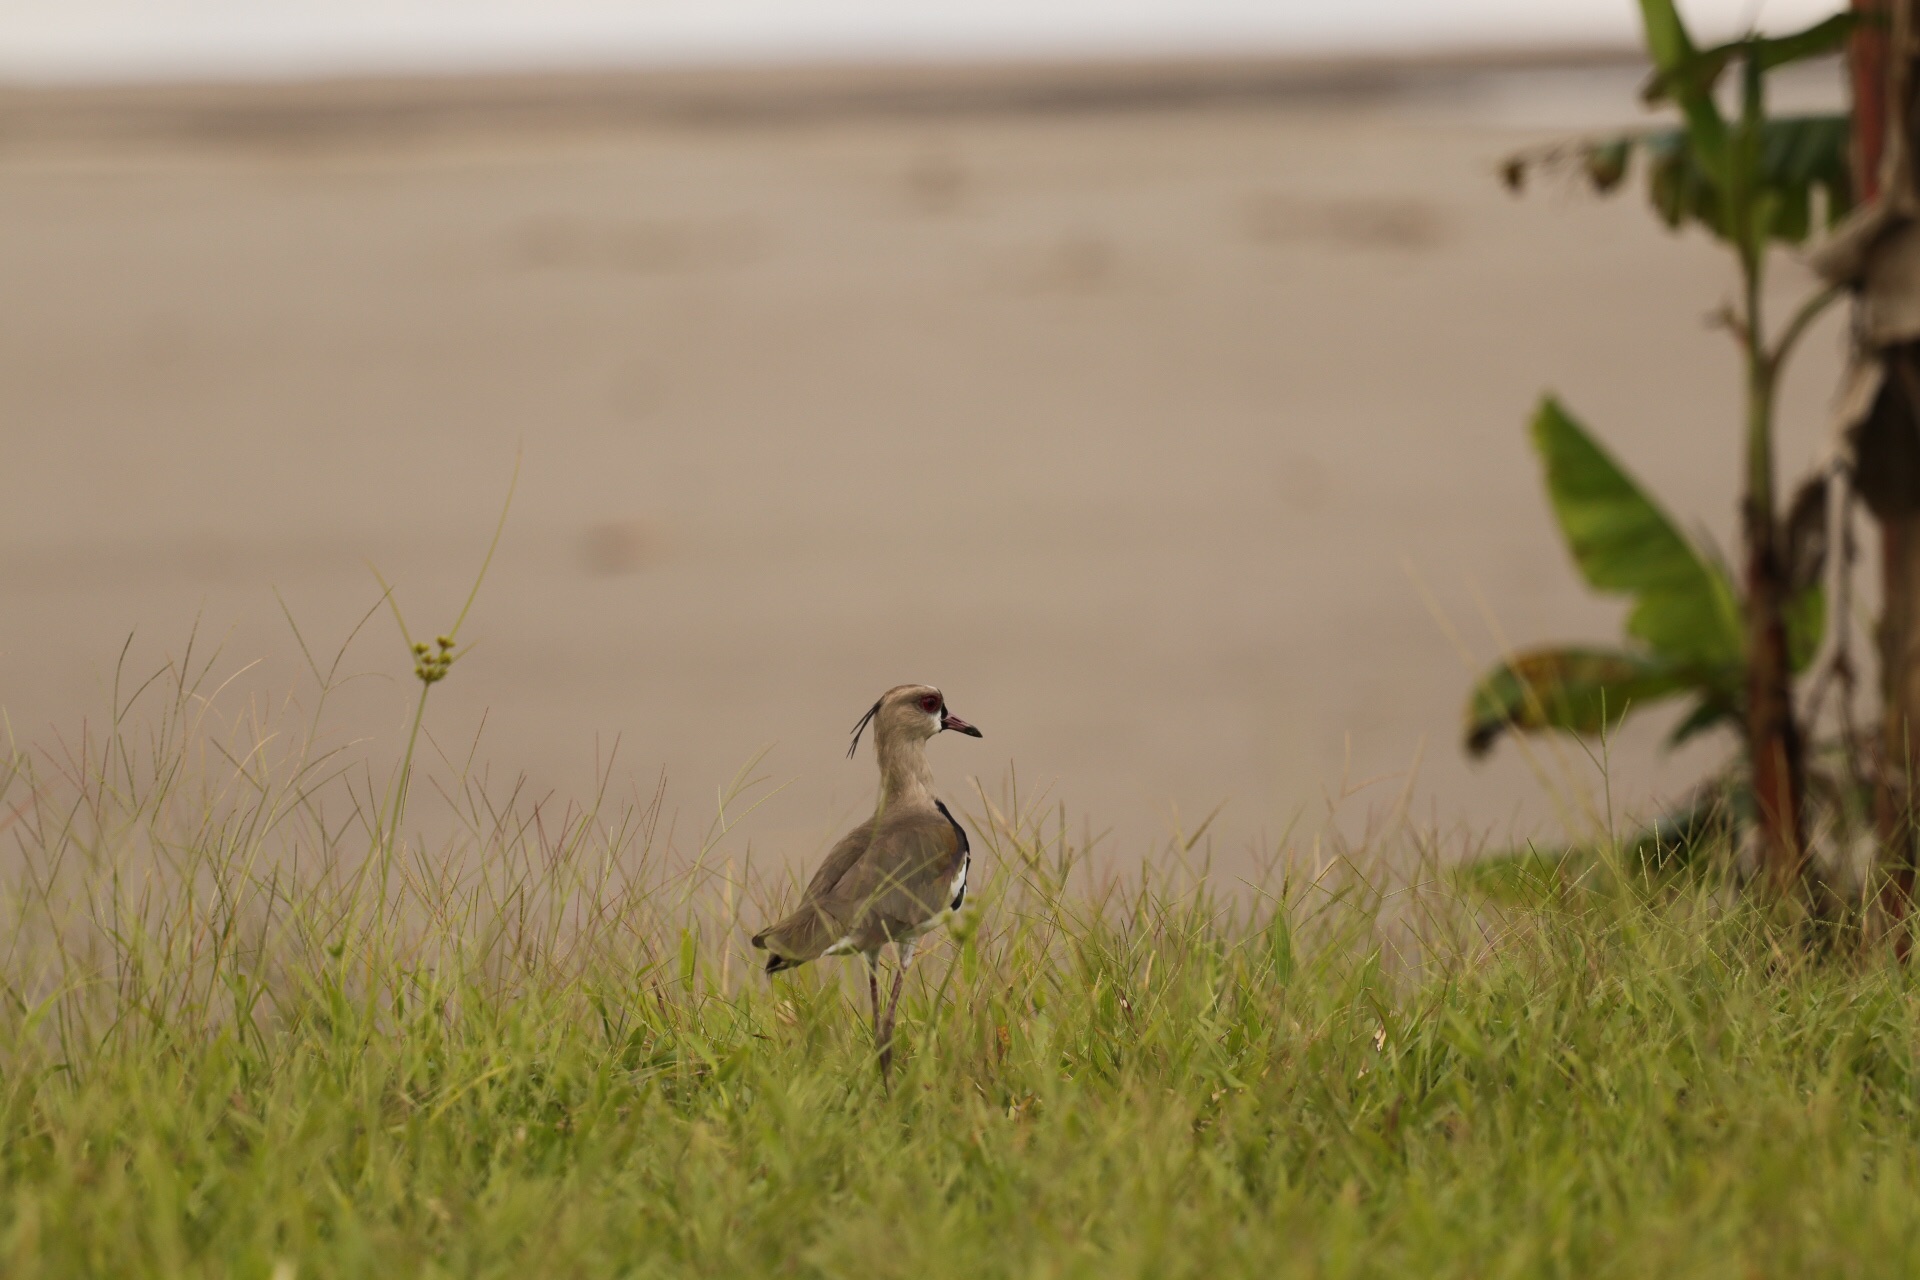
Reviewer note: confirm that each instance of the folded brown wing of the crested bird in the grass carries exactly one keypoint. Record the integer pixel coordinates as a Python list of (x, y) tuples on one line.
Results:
[(905, 878)]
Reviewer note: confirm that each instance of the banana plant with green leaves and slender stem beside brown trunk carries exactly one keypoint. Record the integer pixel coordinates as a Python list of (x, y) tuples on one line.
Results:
[(1752, 181)]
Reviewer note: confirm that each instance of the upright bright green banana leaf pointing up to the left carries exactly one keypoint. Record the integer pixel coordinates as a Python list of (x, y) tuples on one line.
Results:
[(1685, 605)]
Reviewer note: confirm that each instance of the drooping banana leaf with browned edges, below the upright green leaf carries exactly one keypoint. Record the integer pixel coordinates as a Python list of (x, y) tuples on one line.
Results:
[(1572, 690)]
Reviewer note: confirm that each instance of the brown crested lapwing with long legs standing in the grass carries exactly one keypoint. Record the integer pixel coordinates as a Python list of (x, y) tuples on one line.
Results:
[(896, 876)]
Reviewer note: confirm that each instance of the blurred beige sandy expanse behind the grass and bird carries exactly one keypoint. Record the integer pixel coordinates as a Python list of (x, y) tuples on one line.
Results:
[(1138, 406)]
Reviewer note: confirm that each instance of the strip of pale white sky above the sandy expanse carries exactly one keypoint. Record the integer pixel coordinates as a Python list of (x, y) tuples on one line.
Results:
[(93, 39)]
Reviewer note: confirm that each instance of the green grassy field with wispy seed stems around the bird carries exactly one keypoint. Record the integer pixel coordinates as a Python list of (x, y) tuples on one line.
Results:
[(249, 1031)]
